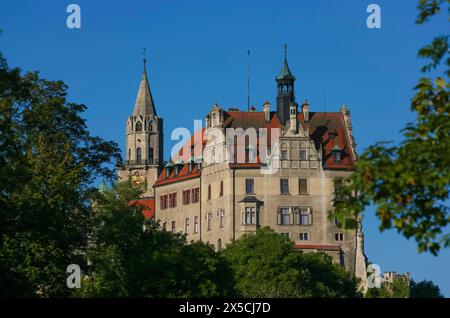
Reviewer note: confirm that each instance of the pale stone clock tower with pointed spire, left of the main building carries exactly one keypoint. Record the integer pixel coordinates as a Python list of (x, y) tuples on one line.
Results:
[(144, 140)]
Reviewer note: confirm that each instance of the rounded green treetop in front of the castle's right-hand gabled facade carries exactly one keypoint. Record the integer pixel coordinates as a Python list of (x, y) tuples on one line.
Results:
[(265, 264)]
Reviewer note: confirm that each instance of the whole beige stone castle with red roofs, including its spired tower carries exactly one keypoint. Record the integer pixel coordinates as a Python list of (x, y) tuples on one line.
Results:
[(278, 172)]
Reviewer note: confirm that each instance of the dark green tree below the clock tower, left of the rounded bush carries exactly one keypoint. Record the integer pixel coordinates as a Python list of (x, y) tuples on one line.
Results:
[(133, 257)]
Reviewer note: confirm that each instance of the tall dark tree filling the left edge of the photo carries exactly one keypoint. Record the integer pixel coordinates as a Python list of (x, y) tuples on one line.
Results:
[(48, 162)]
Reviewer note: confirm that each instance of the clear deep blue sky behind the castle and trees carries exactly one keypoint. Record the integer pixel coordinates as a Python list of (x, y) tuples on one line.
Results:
[(197, 55)]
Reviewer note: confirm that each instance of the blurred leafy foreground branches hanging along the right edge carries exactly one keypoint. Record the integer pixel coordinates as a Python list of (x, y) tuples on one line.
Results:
[(409, 183)]
